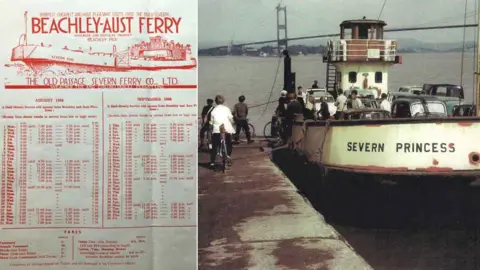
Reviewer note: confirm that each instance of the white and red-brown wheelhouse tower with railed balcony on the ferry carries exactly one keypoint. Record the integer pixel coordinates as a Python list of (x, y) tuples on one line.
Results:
[(361, 58)]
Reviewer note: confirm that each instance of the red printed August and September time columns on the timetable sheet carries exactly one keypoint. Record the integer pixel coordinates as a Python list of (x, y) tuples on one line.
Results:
[(98, 165)]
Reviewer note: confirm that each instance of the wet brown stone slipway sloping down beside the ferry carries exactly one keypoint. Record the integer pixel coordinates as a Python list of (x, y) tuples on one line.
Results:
[(252, 217)]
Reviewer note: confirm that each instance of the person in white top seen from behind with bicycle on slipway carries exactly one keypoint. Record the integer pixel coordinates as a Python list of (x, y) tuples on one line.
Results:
[(221, 115)]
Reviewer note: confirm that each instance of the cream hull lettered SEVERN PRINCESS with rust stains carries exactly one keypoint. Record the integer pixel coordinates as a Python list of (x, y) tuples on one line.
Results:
[(392, 146)]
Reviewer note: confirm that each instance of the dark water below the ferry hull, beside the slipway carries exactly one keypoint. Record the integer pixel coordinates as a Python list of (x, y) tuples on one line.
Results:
[(414, 226)]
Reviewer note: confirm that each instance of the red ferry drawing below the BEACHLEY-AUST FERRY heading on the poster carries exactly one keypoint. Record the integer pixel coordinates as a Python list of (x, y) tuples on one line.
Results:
[(155, 54)]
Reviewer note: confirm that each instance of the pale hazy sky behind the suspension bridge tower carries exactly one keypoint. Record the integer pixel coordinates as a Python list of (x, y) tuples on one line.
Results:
[(251, 20)]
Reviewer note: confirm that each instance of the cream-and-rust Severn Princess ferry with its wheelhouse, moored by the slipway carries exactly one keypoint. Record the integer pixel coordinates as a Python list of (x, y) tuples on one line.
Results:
[(426, 145)]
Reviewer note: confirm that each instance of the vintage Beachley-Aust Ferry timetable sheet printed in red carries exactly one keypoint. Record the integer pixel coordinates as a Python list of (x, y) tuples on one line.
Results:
[(99, 134)]
